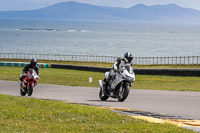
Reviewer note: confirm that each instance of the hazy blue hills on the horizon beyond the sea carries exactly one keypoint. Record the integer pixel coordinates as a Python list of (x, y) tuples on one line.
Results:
[(80, 11)]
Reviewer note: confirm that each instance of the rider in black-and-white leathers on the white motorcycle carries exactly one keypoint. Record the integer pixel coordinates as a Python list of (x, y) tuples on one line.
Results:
[(117, 67)]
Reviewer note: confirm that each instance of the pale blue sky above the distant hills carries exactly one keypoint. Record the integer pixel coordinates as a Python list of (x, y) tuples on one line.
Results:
[(6, 5)]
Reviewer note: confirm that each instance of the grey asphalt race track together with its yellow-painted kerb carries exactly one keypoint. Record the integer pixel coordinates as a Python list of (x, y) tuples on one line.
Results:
[(180, 108)]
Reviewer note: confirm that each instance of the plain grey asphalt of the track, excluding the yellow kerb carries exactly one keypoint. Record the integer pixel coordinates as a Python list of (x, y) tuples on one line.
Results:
[(185, 105)]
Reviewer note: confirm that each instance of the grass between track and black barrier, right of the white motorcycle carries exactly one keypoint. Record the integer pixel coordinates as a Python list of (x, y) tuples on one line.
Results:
[(172, 83)]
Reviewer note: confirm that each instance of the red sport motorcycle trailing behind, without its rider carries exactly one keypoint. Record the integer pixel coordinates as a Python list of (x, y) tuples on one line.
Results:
[(29, 82)]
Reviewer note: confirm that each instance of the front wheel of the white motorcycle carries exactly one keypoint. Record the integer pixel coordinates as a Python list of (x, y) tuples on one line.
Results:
[(122, 95)]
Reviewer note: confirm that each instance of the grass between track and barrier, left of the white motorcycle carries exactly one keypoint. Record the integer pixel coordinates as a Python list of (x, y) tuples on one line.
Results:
[(55, 76)]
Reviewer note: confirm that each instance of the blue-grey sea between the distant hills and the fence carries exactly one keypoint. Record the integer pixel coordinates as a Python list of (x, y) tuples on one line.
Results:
[(101, 38)]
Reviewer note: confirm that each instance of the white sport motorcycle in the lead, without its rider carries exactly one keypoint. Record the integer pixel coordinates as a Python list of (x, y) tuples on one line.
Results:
[(119, 86)]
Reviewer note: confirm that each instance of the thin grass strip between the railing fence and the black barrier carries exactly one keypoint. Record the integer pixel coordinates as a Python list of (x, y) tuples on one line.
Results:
[(102, 64)]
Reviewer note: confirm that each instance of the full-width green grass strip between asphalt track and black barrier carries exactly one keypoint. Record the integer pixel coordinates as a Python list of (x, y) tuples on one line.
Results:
[(81, 78)]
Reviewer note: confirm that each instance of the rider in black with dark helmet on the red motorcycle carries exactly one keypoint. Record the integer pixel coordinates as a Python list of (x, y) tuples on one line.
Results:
[(32, 65)]
